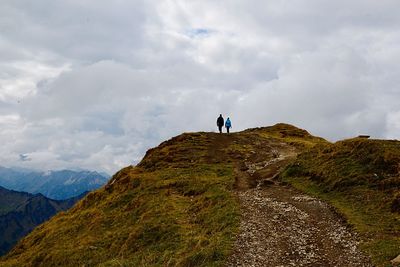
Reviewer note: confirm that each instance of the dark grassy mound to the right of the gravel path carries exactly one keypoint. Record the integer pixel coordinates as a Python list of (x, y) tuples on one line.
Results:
[(361, 178)]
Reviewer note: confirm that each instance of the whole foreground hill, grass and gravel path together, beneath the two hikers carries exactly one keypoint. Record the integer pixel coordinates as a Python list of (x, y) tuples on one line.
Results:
[(188, 203)]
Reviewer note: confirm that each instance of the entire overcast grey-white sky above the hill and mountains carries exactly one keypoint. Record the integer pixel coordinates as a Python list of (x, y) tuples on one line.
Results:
[(93, 84)]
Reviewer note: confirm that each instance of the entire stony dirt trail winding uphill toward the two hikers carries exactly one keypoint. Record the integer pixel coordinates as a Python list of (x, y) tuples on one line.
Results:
[(281, 226)]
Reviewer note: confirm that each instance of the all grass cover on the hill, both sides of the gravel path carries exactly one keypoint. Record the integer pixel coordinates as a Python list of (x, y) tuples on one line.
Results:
[(178, 207)]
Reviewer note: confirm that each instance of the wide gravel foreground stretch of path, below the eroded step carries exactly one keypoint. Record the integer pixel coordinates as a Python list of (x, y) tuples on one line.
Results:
[(281, 227)]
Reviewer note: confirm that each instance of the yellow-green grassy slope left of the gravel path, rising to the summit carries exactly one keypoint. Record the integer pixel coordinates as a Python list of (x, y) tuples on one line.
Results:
[(176, 208)]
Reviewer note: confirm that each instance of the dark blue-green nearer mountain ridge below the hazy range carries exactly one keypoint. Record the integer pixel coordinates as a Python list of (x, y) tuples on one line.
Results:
[(20, 212)]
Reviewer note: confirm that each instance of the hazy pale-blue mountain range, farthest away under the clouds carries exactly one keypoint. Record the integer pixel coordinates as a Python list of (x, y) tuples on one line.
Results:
[(59, 185)]
